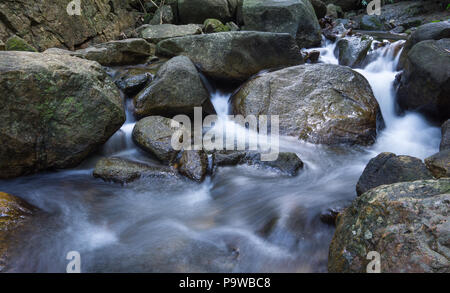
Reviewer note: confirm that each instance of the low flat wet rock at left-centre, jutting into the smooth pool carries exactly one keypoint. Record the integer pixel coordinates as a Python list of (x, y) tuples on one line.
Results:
[(124, 171)]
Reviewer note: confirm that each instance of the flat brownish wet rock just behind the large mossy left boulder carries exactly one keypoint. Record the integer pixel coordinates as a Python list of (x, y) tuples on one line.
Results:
[(123, 52)]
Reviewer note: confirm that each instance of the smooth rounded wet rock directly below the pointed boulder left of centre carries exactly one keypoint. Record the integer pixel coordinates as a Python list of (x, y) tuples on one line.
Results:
[(154, 134)]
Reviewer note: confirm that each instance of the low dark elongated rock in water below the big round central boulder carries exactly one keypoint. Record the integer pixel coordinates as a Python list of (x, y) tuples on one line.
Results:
[(286, 163)]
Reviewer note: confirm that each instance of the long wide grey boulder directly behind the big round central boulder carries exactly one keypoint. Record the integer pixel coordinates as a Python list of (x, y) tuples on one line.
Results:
[(234, 55)]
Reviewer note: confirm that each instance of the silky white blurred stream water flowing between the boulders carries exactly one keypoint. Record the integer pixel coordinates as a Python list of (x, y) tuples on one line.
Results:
[(243, 219)]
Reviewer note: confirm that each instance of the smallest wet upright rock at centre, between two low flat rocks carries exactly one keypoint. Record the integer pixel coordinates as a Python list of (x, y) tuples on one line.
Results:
[(193, 165)]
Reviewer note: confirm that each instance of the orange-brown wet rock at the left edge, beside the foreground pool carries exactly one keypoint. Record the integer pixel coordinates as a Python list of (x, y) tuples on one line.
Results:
[(14, 214)]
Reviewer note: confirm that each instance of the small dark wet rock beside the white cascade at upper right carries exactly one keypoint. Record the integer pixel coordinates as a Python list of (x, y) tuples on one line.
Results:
[(353, 50)]
